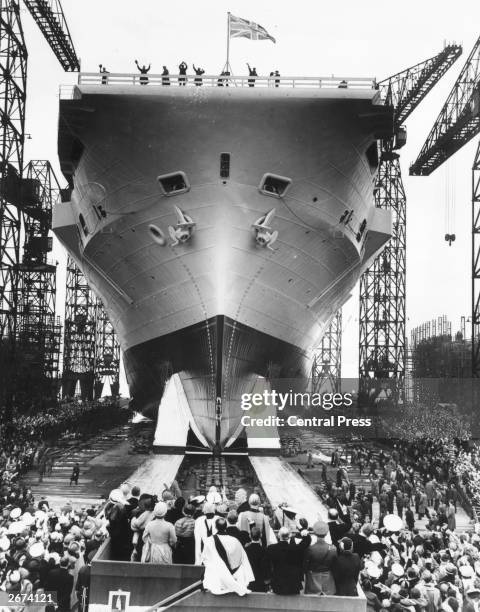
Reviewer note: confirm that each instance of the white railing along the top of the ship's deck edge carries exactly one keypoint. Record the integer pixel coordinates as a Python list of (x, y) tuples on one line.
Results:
[(192, 80)]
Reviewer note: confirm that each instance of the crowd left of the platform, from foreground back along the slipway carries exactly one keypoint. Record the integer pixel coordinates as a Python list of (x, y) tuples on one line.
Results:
[(42, 548)]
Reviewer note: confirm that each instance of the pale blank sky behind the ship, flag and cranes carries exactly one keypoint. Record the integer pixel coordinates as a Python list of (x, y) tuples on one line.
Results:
[(371, 38)]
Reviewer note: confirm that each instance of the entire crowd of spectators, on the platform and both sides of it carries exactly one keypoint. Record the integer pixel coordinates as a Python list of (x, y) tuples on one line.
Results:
[(410, 557)]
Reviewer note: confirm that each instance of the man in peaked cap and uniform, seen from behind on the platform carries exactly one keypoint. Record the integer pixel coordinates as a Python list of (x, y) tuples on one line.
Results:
[(318, 562)]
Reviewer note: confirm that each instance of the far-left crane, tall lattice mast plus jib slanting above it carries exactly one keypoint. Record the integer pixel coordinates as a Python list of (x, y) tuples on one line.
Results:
[(14, 192)]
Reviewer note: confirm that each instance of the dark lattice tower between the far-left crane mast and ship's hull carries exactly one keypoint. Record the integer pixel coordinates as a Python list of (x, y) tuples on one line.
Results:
[(39, 330)]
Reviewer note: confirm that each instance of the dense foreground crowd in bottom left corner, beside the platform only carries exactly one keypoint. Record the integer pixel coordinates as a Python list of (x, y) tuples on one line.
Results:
[(47, 551)]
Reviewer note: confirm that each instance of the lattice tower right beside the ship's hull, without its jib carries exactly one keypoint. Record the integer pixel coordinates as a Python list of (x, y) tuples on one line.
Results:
[(382, 285)]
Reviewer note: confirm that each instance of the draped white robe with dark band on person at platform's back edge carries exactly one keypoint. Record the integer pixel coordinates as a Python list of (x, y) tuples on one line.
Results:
[(218, 579)]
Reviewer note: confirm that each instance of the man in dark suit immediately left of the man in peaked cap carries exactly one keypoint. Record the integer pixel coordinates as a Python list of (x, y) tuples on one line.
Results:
[(283, 565)]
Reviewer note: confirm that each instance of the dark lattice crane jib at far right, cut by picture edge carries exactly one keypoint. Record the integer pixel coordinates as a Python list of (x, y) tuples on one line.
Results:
[(458, 121)]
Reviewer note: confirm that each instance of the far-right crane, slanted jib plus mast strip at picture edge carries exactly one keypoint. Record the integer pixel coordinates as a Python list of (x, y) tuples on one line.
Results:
[(457, 124)]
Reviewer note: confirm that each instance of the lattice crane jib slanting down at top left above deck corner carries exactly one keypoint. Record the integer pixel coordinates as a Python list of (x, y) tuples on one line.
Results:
[(49, 17)]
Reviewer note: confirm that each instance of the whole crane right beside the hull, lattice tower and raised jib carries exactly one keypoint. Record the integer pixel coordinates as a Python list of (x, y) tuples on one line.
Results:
[(382, 285)]
